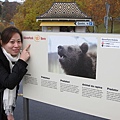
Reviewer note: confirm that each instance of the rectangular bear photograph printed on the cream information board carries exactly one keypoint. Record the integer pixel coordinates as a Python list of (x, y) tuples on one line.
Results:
[(72, 55)]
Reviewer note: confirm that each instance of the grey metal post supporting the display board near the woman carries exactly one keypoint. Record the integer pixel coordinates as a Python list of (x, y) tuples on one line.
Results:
[(26, 108)]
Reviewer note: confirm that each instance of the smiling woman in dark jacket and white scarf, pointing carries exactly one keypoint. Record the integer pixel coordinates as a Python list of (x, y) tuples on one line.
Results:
[(12, 69)]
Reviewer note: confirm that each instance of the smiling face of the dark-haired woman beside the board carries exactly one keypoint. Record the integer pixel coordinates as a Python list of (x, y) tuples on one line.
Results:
[(14, 45)]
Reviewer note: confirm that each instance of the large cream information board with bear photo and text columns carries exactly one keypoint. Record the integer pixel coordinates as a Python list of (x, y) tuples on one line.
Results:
[(77, 71)]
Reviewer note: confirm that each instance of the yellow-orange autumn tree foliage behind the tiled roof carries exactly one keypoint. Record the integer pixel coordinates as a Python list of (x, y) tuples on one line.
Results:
[(25, 18)]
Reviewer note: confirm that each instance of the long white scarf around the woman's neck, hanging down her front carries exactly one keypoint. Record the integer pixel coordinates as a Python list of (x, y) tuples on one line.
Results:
[(9, 96)]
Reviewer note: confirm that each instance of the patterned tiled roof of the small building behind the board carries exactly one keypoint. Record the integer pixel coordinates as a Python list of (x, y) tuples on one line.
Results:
[(63, 10)]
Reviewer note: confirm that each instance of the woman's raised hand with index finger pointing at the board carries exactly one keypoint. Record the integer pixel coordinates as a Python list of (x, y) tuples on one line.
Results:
[(25, 55)]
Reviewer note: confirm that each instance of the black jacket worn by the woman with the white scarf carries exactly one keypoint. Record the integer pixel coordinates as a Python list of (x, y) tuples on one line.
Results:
[(7, 79)]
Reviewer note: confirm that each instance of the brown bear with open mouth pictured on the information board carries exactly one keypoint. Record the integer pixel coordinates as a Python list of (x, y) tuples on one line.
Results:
[(77, 61)]
